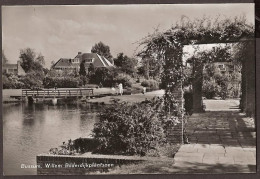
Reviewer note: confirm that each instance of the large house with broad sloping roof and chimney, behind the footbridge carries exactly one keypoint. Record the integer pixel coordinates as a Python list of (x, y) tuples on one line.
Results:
[(87, 58)]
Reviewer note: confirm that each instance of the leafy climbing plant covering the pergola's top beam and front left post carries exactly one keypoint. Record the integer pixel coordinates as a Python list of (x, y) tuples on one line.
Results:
[(168, 48)]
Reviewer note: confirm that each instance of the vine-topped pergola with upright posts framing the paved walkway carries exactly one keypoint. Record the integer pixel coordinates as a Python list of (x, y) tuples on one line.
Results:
[(168, 47)]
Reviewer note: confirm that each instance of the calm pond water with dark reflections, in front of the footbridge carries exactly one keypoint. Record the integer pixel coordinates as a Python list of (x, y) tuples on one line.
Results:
[(29, 130)]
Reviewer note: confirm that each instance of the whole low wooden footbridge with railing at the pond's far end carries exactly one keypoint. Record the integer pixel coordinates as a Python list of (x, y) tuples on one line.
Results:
[(55, 93)]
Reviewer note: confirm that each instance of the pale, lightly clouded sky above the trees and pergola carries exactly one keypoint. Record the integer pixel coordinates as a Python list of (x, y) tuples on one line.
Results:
[(63, 31)]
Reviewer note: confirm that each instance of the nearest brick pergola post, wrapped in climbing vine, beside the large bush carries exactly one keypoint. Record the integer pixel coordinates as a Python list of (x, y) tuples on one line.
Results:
[(174, 92)]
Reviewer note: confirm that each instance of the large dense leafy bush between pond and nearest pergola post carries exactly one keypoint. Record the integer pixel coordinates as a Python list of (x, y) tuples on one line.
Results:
[(133, 129)]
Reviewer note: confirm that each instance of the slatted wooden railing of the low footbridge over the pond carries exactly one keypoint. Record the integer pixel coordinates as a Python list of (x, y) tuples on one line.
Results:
[(58, 92)]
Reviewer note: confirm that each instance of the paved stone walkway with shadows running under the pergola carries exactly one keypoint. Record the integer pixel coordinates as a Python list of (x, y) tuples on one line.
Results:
[(221, 141)]
